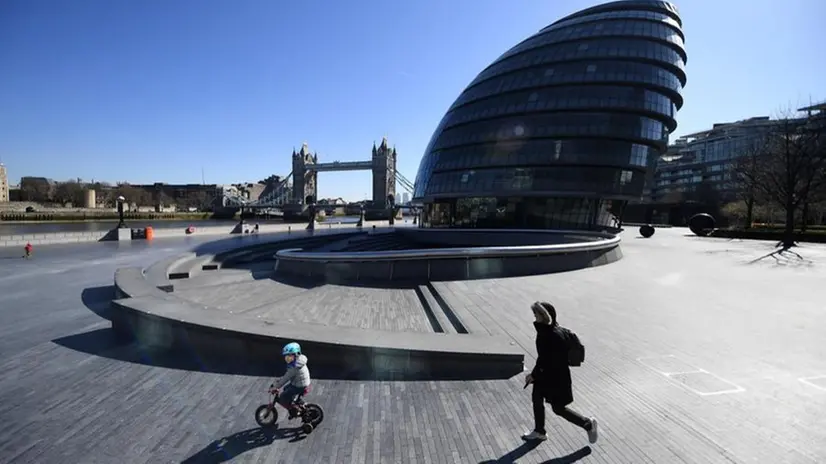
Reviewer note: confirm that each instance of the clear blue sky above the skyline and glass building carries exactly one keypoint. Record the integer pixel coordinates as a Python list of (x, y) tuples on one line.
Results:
[(155, 90)]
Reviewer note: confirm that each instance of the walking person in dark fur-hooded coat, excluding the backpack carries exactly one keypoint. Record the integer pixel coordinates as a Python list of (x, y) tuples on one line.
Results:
[(551, 378)]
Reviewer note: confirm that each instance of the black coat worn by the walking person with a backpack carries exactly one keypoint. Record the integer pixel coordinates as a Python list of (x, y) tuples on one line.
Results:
[(552, 376)]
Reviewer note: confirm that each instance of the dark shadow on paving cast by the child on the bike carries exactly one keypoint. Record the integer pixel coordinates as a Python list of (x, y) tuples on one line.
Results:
[(232, 446)]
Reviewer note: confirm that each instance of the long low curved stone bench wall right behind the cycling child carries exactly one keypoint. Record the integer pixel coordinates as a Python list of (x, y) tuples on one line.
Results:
[(161, 322)]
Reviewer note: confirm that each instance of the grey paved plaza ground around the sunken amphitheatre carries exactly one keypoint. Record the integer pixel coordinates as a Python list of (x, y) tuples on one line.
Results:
[(694, 355)]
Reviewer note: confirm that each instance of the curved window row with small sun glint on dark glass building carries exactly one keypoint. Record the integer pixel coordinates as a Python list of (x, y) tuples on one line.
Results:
[(619, 126)]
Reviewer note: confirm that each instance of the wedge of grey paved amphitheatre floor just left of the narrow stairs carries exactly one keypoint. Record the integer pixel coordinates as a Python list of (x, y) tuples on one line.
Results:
[(386, 309)]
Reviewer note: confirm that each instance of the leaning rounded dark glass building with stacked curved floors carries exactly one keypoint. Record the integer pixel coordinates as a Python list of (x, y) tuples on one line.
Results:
[(561, 130)]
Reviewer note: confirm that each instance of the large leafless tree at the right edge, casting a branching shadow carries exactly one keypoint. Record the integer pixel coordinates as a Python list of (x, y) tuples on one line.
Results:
[(788, 169)]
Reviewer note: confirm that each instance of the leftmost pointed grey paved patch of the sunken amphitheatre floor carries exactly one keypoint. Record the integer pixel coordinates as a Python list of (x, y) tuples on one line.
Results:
[(240, 296)]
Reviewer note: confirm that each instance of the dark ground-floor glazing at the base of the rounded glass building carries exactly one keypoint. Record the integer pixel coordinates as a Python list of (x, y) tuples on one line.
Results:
[(524, 213)]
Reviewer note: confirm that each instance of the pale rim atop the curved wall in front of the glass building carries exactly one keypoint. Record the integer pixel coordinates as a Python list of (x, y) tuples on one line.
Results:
[(448, 253)]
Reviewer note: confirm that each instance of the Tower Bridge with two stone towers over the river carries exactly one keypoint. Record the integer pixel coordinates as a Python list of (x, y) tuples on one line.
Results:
[(300, 187)]
